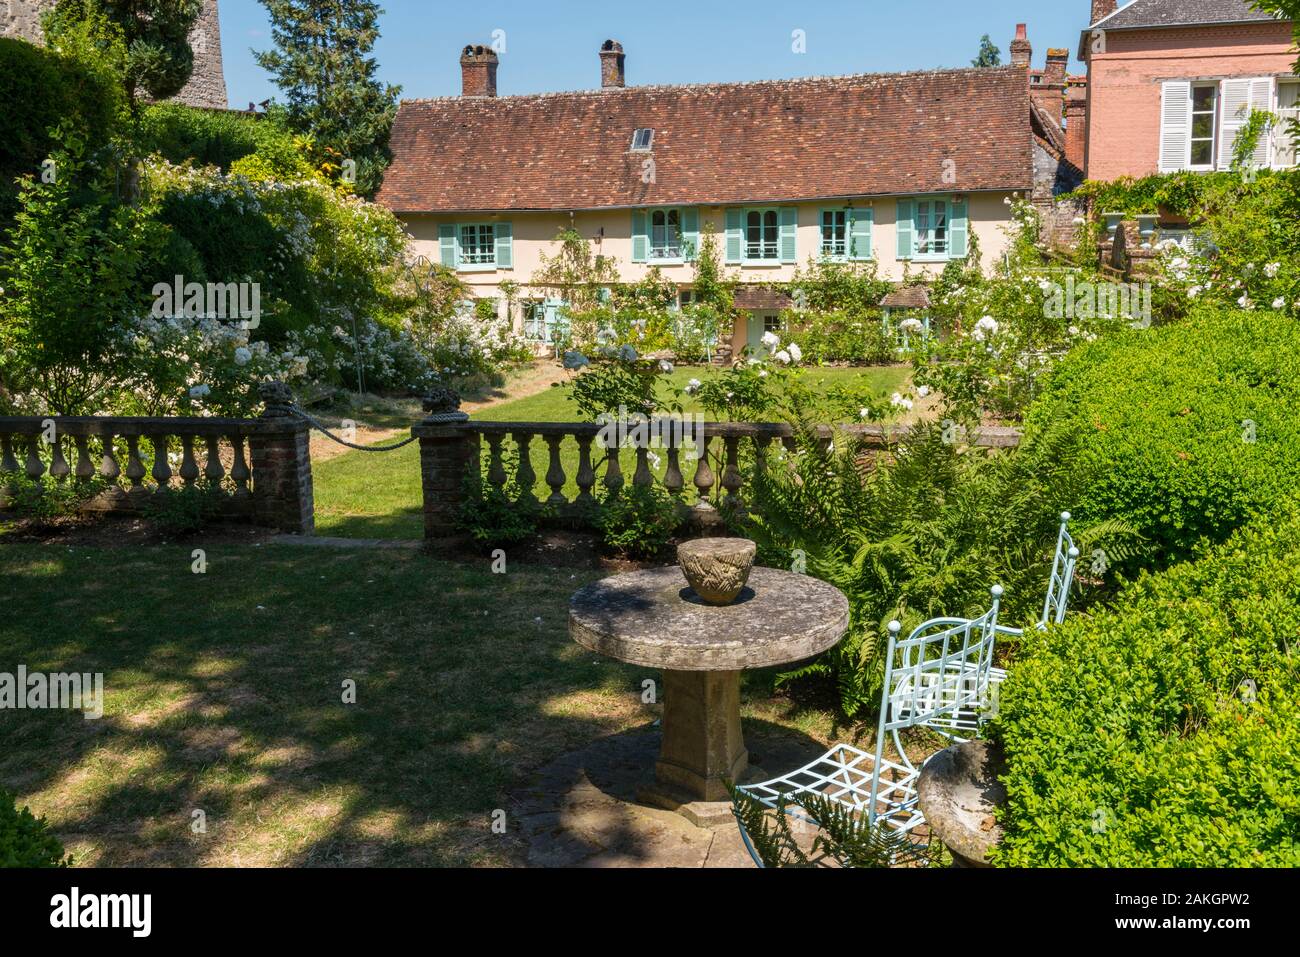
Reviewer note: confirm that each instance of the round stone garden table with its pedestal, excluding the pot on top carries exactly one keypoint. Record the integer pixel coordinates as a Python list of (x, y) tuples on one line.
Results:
[(655, 620)]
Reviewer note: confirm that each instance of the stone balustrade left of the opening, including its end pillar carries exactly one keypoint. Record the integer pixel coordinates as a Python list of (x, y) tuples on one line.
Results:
[(259, 470)]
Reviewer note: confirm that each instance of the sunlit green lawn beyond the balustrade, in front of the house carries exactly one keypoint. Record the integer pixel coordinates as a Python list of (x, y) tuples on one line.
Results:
[(378, 496)]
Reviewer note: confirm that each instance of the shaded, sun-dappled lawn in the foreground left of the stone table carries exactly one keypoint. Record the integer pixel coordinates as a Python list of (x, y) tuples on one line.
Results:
[(224, 695)]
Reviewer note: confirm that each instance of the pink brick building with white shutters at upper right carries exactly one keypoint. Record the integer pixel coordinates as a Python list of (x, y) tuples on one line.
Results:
[(1172, 83)]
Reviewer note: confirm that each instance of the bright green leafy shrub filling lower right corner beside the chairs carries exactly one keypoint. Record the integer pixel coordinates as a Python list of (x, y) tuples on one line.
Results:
[(1164, 733)]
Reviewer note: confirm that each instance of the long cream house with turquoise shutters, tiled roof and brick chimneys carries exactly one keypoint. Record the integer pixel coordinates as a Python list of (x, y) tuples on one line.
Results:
[(899, 170)]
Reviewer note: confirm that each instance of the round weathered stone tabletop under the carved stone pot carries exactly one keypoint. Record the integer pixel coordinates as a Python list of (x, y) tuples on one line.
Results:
[(653, 618)]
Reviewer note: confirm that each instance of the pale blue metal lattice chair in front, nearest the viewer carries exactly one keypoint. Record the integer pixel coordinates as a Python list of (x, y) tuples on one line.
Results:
[(934, 678)]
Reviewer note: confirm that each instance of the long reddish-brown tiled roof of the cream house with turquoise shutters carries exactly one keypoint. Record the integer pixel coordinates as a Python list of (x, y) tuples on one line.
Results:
[(773, 141)]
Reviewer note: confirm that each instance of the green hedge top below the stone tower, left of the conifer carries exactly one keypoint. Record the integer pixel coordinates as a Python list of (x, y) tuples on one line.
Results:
[(185, 135)]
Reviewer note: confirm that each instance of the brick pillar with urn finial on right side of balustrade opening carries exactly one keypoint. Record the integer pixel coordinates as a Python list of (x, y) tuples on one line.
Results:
[(449, 453)]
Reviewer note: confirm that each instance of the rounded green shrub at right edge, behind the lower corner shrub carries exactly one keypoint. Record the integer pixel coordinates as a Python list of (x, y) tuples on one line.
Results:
[(1189, 431)]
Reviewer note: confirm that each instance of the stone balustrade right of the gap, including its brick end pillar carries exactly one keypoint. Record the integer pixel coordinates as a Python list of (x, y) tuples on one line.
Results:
[(700, 465)]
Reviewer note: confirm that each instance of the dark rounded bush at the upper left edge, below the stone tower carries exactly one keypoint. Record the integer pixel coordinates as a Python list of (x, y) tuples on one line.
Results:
[(71, 88)]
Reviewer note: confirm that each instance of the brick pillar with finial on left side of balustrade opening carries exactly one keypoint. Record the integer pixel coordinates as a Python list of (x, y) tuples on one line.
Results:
[(281, 457)]
